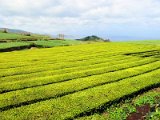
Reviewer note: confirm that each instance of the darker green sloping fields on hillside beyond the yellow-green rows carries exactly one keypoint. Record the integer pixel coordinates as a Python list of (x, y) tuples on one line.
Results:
[(13, 41)]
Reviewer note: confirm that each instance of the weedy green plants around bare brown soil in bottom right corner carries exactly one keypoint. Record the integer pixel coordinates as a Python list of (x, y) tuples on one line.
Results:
[(121, 110)]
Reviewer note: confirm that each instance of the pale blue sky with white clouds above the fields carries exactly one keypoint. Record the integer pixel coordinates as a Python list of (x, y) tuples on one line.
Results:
[(115, 19)]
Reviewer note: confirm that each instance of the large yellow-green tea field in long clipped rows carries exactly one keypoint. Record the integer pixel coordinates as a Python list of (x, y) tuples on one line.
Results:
[(74, 81)]
